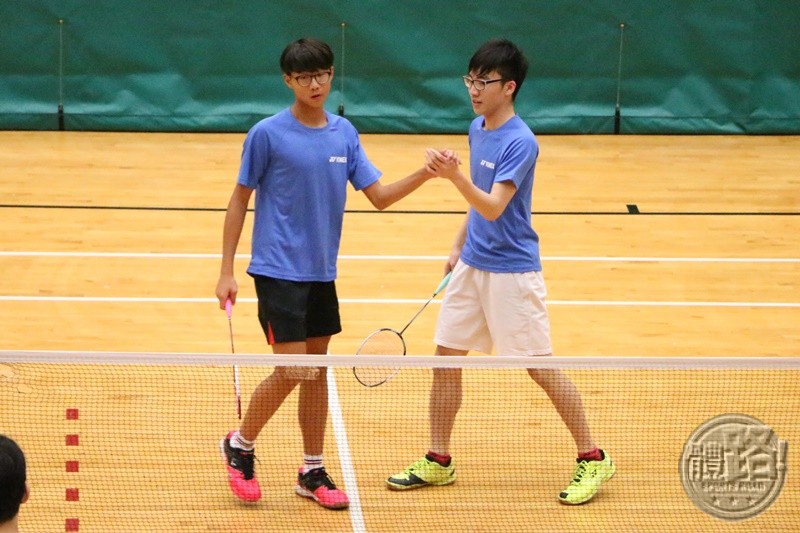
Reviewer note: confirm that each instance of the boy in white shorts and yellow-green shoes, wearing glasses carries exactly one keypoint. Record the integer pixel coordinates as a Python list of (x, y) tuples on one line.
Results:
[(496, 295)]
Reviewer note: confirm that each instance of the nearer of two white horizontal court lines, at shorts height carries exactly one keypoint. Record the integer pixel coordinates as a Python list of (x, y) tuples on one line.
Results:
[(583, 303)]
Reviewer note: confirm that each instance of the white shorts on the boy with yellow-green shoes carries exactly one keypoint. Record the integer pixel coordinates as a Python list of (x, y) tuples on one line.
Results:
[(481, 309)]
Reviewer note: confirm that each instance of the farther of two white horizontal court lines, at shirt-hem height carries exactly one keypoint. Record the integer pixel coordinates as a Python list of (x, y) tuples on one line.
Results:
[(632, 259)]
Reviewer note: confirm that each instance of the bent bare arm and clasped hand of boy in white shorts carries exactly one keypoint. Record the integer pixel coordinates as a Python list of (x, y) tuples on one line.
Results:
[(489, 205)]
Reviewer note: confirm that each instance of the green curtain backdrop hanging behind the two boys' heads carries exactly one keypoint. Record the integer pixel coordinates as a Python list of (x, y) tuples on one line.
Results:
[(717, 66)]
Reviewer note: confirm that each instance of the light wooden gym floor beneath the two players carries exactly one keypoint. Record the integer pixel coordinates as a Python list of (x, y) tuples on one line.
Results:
[(652, 246)]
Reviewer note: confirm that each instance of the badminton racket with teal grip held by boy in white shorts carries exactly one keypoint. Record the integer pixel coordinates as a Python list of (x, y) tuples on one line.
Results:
[(386, 341)]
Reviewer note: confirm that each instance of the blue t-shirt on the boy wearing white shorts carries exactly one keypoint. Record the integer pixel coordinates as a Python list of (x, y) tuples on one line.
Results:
[(508, 244)]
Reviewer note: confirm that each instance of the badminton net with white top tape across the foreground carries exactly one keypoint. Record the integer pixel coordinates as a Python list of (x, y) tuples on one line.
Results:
[(129, 442)]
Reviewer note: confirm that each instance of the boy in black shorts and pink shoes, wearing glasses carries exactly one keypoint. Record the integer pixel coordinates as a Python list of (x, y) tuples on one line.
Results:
[(299, 163)]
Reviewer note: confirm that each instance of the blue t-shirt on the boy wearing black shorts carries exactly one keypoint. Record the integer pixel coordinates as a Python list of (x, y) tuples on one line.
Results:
[(300, 175)]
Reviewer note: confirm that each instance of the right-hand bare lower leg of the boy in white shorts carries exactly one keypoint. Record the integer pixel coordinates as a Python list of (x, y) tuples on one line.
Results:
[(567, 401)]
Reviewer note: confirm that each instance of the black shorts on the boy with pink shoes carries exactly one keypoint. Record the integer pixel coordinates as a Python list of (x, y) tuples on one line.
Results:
[(293, 311)]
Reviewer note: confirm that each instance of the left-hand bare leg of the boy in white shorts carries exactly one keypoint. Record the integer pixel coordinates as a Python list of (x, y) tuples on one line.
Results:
[(445, 401)]
